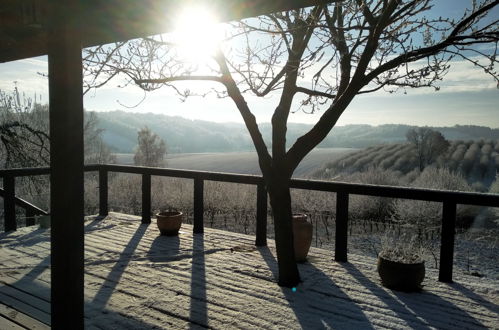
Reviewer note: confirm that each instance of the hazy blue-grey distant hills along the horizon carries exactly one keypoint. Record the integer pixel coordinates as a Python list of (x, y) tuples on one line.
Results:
[(192, 136)]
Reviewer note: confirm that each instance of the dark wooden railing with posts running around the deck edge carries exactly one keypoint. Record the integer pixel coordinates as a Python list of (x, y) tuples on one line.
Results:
[(449, 200)]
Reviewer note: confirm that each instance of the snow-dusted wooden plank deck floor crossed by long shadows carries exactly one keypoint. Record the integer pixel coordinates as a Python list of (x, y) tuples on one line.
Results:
[(135, 279)]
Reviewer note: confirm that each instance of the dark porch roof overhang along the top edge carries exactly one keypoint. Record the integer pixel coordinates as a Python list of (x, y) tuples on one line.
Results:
[(23, 32)]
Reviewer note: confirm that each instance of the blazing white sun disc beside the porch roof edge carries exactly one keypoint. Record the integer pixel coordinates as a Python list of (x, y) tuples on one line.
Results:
[(197, 34)]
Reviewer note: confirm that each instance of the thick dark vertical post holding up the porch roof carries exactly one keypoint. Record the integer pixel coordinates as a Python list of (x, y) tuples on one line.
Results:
[(66, 160)]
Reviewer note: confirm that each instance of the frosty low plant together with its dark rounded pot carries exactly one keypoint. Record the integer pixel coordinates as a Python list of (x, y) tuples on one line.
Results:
[(400, 262)]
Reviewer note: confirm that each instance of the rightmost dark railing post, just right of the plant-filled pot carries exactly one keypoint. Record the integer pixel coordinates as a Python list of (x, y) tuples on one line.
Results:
[(447, 243)]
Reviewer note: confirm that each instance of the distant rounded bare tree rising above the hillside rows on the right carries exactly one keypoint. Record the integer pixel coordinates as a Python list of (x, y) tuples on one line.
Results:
[(429, 144)]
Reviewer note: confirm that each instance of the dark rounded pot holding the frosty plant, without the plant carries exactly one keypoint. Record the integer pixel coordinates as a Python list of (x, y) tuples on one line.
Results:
[(401, 276)]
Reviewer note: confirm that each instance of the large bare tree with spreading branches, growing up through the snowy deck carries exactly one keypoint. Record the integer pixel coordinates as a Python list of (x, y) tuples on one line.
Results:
[(314, 59)]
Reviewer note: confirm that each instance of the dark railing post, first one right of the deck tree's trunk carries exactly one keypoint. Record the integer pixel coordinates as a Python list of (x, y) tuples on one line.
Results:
[(341, 238)]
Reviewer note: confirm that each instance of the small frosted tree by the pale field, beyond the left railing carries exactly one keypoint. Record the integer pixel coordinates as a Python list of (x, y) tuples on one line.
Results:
[(151, 149)]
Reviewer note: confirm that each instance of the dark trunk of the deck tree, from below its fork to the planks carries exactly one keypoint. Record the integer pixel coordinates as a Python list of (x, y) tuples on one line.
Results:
[(280, 200)]
